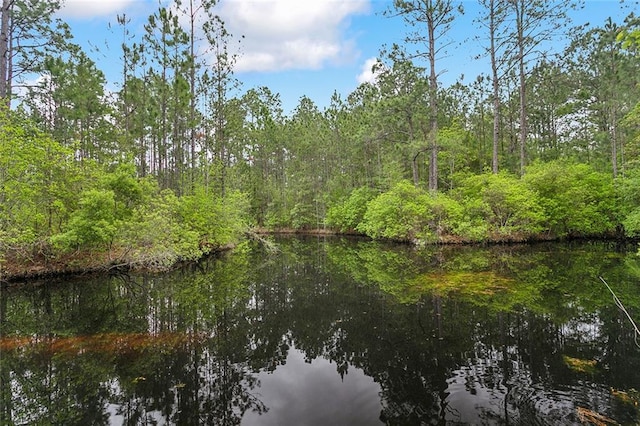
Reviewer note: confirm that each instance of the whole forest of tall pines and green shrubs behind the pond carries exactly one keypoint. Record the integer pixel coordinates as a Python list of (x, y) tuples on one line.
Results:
[(180, 161)]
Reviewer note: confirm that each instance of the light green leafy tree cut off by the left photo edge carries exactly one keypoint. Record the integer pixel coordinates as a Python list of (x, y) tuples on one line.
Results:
[(38, 180)]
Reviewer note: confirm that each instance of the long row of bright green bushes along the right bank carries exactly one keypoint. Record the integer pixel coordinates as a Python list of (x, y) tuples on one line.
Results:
[(554, 200)]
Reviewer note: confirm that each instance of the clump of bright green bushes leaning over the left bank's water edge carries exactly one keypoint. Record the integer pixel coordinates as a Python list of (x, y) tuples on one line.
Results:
[(150, 227)]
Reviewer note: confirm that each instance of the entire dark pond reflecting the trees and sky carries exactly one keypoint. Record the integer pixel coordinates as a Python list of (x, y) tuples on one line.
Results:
[(332, 332)]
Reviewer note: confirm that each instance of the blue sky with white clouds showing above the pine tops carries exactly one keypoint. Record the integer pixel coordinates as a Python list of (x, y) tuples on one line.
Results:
[(307, 48)]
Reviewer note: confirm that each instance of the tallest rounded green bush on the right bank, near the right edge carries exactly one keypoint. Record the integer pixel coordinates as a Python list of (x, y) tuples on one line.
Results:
[(576, 200)]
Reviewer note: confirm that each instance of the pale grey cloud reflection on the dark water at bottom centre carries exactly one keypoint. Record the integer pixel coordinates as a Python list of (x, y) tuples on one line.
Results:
[(300, 393)]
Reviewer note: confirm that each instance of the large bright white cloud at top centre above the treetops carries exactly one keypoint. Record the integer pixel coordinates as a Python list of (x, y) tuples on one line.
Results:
[(291, 34)]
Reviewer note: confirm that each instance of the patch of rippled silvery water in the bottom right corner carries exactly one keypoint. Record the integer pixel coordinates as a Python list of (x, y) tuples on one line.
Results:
[(477, 394)]
